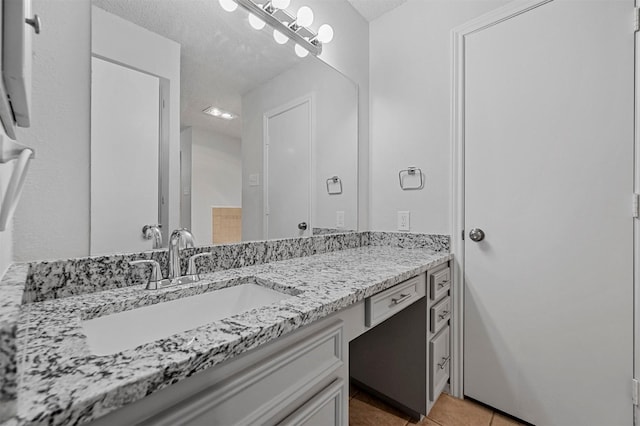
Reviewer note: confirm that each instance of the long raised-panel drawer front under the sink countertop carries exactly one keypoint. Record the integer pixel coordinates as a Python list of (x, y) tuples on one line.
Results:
[(263, 391)]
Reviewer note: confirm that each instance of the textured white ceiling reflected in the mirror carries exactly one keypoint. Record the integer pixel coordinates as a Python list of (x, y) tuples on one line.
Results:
[(222, 57)]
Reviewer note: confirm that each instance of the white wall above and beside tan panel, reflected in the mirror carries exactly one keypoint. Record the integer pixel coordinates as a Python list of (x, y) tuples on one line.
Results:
[(216, 178)]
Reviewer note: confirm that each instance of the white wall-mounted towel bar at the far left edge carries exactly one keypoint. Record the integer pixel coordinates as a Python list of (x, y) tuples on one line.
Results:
[(9, 151)]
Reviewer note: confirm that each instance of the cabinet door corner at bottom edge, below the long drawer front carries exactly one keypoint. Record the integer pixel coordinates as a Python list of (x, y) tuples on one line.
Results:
[(324, 409)]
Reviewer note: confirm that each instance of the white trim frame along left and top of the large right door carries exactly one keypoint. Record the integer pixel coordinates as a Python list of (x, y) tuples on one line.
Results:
[(458, 35)]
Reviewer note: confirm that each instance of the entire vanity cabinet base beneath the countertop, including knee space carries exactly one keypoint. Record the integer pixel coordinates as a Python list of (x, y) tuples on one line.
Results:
[(394, 343)]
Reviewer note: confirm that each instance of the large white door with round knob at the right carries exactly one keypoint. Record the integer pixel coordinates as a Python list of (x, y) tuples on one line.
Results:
[(549, 177)]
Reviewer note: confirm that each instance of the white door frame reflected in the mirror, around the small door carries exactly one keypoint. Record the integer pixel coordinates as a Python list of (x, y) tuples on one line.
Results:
[(308, 99)]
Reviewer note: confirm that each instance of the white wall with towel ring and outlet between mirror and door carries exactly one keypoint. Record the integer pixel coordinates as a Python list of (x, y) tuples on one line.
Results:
[(410, 106)]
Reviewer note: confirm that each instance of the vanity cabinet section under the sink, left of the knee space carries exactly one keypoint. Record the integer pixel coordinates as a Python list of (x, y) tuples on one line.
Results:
[(300, 378)]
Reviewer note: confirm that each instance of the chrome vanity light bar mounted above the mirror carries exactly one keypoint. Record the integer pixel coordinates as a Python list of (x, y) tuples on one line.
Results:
[(282, 21)]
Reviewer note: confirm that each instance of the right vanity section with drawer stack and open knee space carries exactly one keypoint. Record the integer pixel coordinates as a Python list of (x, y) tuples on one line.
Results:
[(404, 359)]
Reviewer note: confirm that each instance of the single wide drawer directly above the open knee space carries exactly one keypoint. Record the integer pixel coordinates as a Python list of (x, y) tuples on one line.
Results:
[(385, 304)]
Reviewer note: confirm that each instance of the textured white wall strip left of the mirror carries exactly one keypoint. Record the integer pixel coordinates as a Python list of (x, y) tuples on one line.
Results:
[(52, 219)]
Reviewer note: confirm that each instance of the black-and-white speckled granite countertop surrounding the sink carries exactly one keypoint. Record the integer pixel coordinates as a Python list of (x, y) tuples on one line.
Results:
[(61, 382)]
